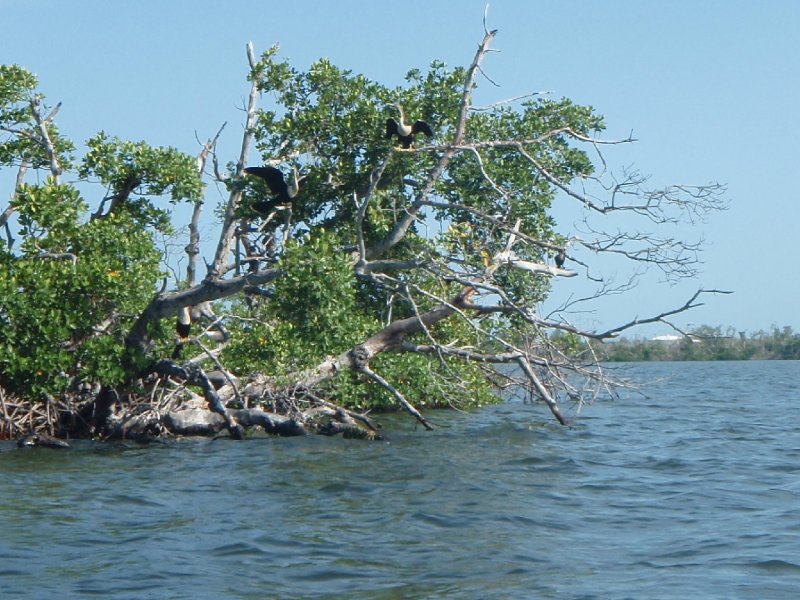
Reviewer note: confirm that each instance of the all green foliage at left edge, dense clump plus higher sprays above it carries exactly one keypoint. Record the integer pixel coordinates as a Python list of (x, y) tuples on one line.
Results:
[(73, 285)]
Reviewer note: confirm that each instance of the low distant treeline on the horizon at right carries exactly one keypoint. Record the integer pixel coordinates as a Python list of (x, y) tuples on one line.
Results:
[(707, 343)]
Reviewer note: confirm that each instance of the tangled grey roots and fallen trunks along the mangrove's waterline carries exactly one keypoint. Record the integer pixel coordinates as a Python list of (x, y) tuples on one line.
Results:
[(182, 400)]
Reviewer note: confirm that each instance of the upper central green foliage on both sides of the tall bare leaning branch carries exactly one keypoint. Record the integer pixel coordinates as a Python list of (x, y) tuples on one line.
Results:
[(331, 123)]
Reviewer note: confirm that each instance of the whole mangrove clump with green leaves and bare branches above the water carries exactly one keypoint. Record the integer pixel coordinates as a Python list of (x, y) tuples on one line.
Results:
[(395, 277)]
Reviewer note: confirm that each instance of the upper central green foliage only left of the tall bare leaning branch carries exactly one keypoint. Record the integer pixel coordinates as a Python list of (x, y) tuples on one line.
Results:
[(333, 123)]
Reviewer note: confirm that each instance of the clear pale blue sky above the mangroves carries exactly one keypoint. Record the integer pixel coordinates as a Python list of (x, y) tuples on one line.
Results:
[(710, 89)]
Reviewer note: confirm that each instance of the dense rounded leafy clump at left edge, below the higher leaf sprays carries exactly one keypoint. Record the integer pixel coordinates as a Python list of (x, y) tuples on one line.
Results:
[(67, 297)]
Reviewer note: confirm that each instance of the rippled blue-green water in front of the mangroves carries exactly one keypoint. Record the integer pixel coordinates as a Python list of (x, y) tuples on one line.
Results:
[(689, 492)]
